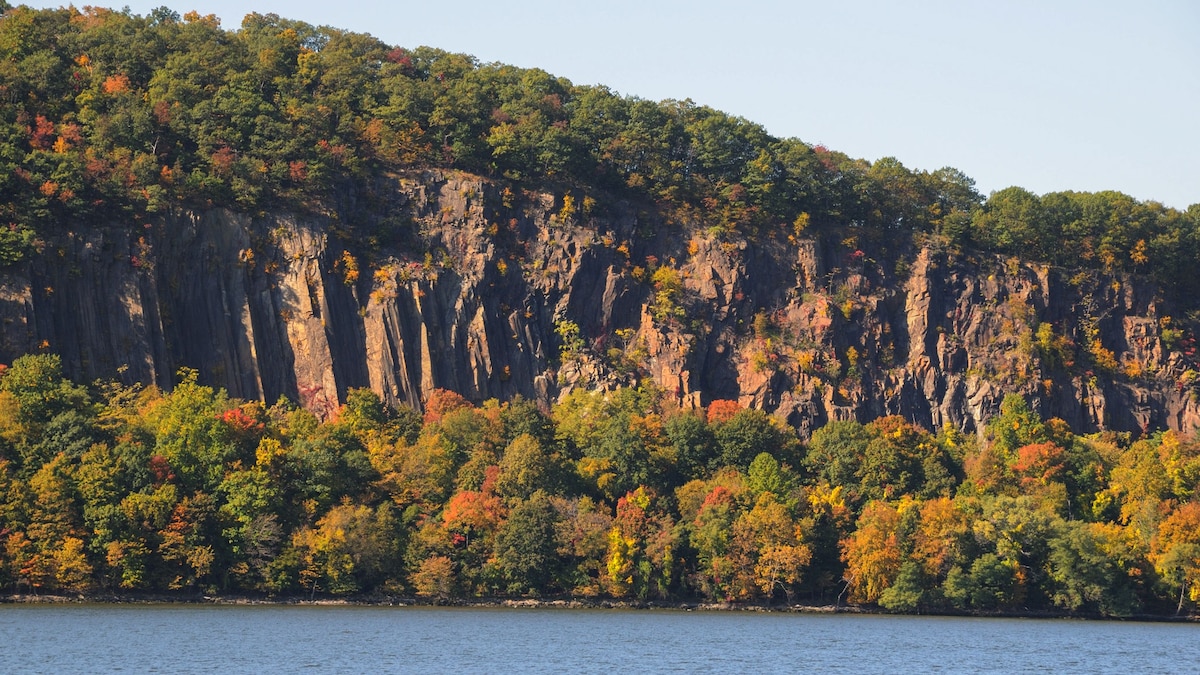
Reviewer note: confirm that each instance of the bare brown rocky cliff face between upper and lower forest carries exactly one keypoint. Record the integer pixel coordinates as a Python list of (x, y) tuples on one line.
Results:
[(458, 283)]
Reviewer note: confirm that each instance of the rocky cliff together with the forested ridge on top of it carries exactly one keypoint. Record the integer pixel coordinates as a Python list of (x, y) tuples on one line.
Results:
[(297, 211)]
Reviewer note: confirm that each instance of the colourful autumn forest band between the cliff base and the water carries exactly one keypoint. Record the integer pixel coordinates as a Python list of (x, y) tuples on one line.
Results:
[(115, 489)]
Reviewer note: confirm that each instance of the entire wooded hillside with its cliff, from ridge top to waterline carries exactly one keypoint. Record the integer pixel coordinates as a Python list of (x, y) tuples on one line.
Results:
[(285, 310)]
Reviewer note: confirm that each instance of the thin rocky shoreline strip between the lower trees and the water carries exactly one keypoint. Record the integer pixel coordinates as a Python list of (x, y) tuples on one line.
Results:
[(551, 605)]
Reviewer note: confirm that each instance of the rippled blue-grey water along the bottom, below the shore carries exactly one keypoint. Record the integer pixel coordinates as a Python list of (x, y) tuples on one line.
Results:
[(351, 640)]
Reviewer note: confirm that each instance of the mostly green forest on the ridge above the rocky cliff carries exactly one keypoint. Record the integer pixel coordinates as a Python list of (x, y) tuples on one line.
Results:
[(115, 117)]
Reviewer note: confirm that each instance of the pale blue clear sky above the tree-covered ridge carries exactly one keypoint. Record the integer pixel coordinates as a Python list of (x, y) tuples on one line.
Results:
[(1049, 95)]
